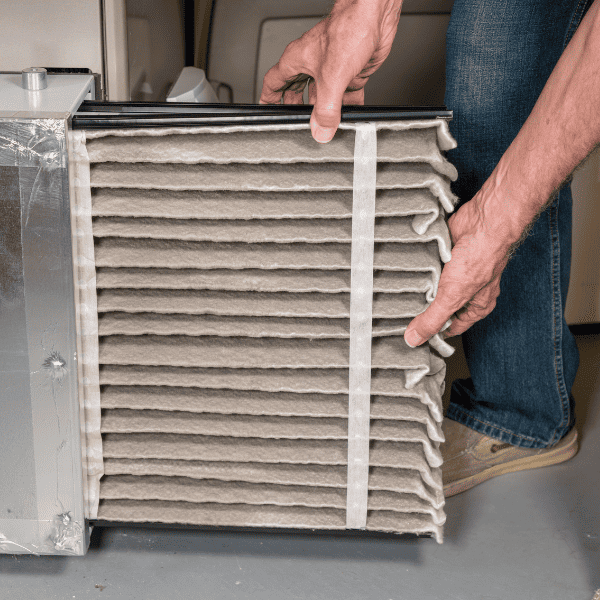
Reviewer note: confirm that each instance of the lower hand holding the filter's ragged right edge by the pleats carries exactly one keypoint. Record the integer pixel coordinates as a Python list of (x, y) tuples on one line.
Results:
[(470, 281)]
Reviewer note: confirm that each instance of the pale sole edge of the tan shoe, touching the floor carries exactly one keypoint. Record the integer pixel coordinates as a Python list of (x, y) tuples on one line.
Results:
[(564, 450)]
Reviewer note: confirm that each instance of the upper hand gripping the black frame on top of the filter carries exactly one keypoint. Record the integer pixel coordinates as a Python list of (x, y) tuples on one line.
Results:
[(337, 57)]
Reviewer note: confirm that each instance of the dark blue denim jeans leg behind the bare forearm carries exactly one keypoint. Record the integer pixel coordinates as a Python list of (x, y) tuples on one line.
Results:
[(522, 357)]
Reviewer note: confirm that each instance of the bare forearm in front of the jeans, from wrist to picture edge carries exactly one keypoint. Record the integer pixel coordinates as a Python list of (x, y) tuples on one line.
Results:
[(560, 132)]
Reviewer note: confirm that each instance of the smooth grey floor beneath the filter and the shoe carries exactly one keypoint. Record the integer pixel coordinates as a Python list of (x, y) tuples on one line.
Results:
[(531, 535)]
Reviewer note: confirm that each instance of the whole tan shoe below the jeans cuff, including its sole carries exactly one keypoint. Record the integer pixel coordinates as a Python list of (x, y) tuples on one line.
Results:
[(471, 458)]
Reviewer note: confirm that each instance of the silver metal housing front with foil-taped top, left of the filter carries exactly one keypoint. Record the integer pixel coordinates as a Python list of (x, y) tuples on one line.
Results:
[(39, 414)]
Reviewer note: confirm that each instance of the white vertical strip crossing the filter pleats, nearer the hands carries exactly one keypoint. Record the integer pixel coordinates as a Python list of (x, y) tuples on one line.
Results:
[(361, 305)]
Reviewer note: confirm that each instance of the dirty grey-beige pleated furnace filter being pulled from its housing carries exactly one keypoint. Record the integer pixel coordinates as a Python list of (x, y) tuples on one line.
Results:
[(243, 294)]
